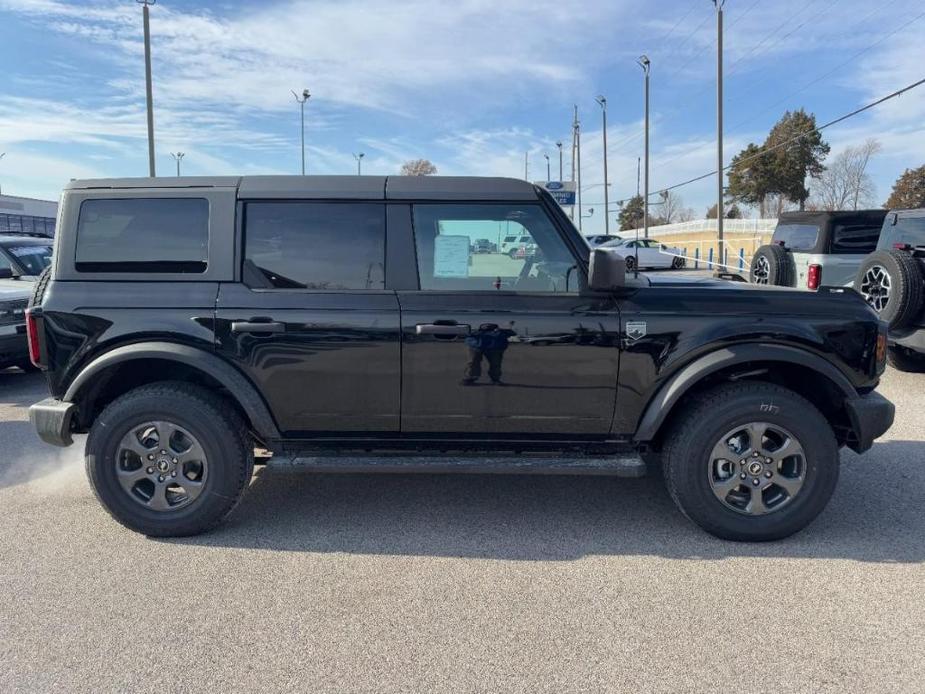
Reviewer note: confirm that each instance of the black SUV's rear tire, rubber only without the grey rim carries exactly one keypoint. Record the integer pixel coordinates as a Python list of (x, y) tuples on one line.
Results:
[(211, 419)]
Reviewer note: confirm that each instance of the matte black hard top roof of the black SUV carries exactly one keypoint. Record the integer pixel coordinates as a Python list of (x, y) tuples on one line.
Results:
[(335, 187)]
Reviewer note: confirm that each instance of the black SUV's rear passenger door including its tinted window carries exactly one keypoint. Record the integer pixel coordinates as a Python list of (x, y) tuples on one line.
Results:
[(312, 323)]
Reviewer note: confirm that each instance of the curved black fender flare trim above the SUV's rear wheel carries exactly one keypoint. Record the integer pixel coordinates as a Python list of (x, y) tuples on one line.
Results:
[(240, 387)]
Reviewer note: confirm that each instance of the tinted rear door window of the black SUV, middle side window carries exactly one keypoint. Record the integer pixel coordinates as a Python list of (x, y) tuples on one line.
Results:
[(311, 245)]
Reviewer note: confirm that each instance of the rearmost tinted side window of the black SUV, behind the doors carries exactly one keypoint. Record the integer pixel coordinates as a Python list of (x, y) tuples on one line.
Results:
[(143, 234)]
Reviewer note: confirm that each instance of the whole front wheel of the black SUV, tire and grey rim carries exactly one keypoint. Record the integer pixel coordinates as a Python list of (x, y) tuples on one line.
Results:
[(751, 462)]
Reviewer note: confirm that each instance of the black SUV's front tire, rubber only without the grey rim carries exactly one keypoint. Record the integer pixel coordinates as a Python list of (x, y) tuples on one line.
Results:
[(703, 422)]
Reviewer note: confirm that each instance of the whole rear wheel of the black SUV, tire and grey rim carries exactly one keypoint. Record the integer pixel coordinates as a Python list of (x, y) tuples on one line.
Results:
[(169, 459)]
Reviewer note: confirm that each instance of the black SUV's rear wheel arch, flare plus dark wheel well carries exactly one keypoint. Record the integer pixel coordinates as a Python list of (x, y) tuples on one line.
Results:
[(129, 366)]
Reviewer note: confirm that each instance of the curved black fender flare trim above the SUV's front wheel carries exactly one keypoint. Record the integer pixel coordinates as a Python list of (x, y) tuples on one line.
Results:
[(661, 404)]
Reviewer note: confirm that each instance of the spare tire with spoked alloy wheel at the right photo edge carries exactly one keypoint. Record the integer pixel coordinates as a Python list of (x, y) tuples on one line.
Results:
[(891, 282)]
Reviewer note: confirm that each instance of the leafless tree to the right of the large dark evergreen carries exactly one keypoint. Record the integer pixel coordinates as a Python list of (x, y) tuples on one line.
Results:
[(845, 184)]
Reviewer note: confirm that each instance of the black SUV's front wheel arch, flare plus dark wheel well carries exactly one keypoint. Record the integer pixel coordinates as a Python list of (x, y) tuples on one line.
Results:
[(804, 372)]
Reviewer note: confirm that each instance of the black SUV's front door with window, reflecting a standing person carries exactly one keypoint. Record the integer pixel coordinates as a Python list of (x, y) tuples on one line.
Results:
[(503, 342)]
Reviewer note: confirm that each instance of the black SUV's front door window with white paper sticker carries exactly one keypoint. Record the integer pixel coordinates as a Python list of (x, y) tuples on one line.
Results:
[(538, 262)]
